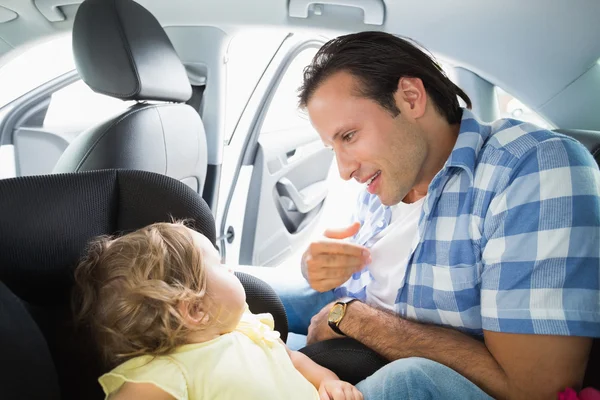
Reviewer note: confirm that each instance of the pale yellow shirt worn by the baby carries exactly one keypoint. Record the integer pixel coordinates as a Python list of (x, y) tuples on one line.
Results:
[(249, 363)]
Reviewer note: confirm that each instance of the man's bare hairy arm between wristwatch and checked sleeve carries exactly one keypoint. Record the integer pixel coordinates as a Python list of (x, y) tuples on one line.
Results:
[(512, 366)]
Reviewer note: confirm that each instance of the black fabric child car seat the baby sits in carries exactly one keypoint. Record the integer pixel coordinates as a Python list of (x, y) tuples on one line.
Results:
[(45, 224)]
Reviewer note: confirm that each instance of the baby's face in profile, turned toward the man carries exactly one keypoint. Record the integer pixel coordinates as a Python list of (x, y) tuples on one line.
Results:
[(224, 287)]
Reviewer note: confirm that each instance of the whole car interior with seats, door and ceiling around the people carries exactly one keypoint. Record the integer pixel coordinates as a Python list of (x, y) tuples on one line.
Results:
[(188, 138)]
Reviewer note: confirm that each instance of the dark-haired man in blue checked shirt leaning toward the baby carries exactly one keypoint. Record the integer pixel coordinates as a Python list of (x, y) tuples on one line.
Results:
[(497, 278)]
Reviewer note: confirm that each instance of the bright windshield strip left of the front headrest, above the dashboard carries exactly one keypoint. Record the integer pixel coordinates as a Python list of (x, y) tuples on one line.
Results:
[(34, 67)]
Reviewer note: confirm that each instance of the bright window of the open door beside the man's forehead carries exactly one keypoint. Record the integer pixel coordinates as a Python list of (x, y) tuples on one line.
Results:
[(283, 112)]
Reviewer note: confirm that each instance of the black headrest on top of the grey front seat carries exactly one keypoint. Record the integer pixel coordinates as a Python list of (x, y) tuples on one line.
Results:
[(122, 51)]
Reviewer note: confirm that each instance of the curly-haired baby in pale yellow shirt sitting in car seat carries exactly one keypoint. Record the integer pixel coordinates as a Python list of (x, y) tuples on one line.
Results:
[(176, 322)]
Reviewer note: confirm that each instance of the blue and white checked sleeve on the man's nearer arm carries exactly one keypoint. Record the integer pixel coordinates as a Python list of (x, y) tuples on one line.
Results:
[(541, 245)]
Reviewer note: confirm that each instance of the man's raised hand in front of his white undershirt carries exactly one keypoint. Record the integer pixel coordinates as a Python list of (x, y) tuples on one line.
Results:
[(327, 264)]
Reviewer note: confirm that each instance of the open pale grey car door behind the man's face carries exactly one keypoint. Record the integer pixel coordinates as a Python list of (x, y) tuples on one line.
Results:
[(277, 189)]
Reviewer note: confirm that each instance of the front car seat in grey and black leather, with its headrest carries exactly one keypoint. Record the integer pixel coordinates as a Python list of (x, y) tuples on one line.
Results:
[(122, 51)]
